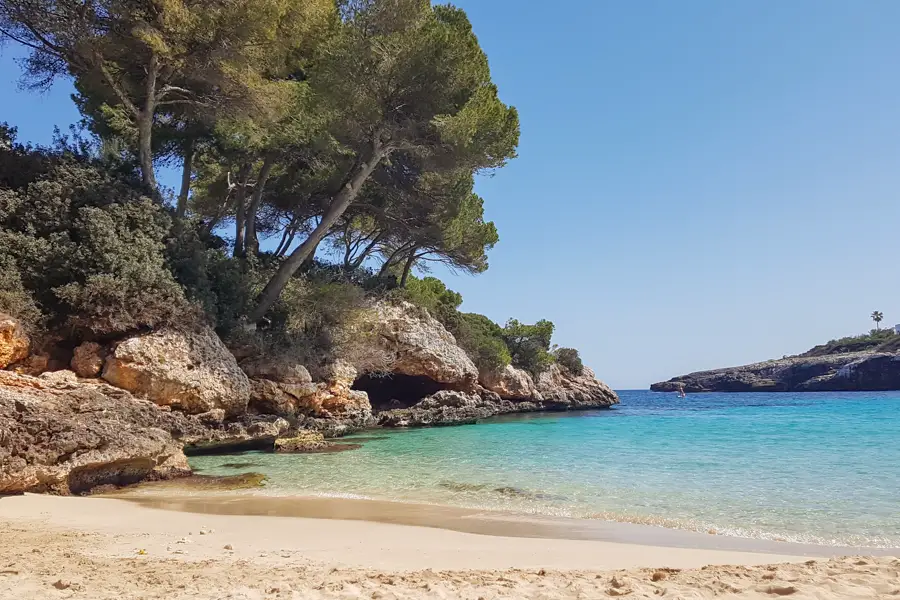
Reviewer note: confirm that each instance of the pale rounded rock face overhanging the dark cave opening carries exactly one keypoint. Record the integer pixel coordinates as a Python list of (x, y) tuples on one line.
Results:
[(422, 347)]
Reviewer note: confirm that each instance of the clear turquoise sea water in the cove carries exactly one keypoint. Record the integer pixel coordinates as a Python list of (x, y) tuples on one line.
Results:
[(819, 467)]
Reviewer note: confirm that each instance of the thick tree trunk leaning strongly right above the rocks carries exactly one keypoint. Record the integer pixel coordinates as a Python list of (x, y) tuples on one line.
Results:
[(339, 204)]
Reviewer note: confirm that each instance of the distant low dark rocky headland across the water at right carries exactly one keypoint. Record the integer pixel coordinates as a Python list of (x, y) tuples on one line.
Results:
[(853, 371)]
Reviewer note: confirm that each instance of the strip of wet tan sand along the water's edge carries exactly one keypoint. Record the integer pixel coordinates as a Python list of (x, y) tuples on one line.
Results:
[(495, 523)]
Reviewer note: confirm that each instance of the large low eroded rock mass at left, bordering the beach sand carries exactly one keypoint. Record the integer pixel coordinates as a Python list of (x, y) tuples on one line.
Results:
[(63, 438)]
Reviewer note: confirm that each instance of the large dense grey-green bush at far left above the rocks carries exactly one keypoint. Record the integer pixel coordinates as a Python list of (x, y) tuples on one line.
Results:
[(87, 246)]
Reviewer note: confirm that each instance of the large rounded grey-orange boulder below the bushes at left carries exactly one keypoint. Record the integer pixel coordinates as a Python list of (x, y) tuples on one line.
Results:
[(190, 371)]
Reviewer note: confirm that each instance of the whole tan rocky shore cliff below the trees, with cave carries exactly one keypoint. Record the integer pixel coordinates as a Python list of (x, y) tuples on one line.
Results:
[(128, 411)]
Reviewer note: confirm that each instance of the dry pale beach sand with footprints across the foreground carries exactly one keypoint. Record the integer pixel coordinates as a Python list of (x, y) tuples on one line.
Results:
[(102, 548)]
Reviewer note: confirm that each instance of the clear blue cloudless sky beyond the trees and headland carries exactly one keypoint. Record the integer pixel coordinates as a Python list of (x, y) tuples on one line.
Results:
[(700, 183)]
